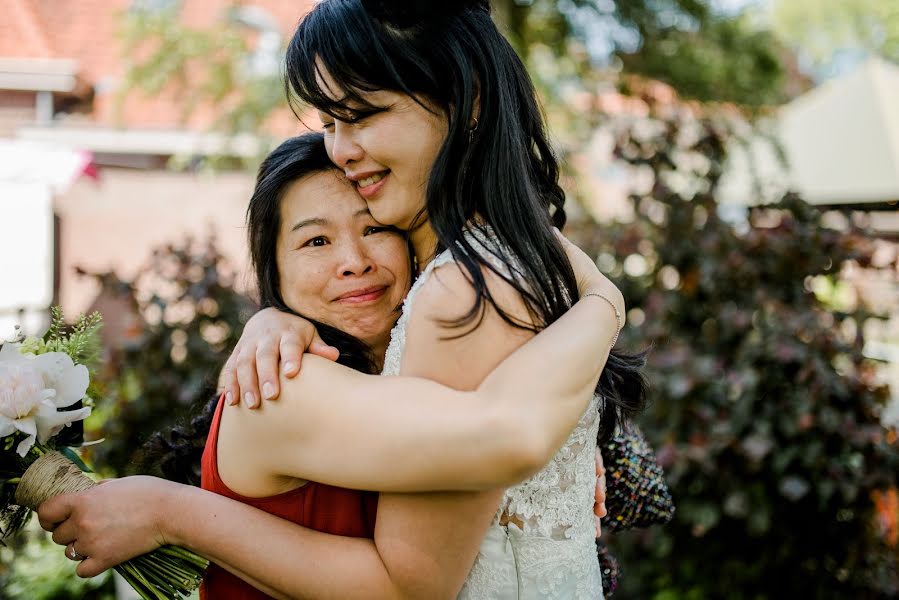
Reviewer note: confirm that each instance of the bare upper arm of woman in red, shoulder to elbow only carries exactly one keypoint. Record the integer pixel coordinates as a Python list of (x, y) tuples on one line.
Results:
[(405, 434)]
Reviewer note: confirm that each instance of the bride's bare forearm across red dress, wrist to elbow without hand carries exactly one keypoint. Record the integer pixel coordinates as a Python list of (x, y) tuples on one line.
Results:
[(277, 556)]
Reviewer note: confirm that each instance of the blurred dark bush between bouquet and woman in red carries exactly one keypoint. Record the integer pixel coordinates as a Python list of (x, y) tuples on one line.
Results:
[(186, 314)]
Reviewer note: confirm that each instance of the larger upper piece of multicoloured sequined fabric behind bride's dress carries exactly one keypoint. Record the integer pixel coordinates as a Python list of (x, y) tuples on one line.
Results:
[(636, 493)]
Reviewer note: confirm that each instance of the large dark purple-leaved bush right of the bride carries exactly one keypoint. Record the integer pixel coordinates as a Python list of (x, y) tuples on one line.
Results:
[(766, 413)]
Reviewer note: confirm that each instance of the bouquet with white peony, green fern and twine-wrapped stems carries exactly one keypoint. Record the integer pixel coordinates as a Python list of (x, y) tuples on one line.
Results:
[(43, 391)]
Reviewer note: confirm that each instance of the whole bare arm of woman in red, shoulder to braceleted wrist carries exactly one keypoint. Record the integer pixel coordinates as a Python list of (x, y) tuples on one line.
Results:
[(344, 428)]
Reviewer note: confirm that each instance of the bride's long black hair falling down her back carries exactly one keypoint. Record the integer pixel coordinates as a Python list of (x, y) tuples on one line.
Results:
[(504, 173)]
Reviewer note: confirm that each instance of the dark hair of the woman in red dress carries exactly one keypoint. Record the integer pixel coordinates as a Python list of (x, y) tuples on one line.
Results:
[(176, 454)]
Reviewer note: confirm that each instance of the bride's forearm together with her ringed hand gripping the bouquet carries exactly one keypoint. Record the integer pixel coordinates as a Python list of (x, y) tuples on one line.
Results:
[(280, 558)]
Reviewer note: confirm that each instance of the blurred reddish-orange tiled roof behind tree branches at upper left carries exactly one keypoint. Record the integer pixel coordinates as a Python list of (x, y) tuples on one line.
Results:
[(88, 31)]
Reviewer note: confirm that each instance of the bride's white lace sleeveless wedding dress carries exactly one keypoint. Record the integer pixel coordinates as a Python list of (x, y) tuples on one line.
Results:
[(540, 544)]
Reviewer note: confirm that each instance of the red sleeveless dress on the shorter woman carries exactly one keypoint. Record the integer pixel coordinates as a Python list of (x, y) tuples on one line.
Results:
[(317, 506)]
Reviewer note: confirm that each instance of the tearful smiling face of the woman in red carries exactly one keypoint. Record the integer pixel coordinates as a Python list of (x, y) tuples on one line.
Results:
[(338, 265)]
